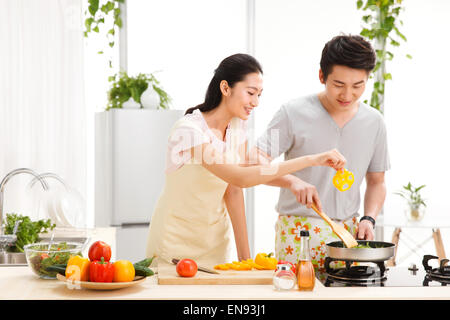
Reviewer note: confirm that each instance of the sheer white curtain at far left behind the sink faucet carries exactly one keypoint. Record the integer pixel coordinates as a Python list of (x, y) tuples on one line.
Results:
[(42, 107)]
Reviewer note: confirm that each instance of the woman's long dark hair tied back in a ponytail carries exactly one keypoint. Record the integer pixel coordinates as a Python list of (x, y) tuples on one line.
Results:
[(232, 69)]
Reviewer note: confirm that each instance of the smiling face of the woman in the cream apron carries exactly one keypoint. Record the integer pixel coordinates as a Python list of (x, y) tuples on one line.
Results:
[(243, 96)]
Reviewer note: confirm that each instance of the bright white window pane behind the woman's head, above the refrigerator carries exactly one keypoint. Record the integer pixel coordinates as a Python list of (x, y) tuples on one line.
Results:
[(183, 42)]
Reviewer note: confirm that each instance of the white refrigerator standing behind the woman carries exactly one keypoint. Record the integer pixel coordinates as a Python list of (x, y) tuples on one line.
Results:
[(130, 155)]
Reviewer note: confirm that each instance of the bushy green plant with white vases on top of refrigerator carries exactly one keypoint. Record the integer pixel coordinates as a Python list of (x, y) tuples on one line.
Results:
[(141, 91)]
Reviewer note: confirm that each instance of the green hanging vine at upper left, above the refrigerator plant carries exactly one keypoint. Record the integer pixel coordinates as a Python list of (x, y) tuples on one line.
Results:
[(102, 12)]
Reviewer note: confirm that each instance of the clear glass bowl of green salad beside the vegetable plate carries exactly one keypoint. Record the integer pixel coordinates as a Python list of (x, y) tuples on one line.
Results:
[(47, 259)]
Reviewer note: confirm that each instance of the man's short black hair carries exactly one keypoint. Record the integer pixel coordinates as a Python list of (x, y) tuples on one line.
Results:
[(352, 51)]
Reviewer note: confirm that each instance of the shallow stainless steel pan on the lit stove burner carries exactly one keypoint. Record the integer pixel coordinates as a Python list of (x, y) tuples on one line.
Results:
[(378, 251)]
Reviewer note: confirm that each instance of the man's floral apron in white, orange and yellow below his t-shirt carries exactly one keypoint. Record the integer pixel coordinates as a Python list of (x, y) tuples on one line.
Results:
[(287, 238)]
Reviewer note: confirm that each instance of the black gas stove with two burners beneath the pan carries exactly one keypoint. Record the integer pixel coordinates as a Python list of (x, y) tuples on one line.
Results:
[(376, 274)]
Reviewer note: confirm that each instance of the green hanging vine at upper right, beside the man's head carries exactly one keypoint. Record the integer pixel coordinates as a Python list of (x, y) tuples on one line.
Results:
[(381, 25)]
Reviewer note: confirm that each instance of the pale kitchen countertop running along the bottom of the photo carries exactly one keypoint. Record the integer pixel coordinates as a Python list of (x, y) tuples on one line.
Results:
[(19, 283)]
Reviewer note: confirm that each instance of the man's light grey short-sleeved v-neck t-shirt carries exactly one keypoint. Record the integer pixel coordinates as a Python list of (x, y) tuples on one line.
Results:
[(303, 127)]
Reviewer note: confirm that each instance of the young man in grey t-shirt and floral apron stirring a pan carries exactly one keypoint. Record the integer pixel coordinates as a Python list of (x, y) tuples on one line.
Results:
[(333, 118)]
